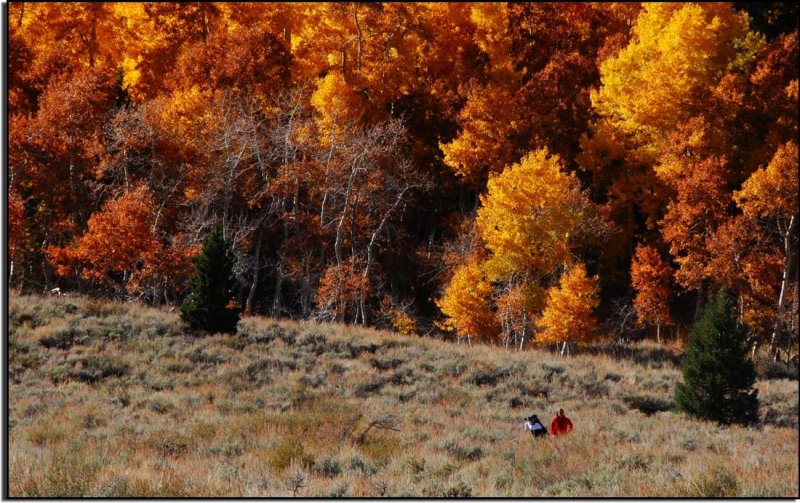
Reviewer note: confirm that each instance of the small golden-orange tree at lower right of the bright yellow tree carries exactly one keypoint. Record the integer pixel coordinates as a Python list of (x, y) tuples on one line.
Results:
[(569, 314)]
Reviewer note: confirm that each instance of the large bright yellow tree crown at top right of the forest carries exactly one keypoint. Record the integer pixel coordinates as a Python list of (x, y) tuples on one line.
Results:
[(677, 50)]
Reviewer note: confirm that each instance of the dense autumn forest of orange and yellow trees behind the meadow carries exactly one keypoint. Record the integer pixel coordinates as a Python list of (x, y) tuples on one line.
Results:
[(508, 173)]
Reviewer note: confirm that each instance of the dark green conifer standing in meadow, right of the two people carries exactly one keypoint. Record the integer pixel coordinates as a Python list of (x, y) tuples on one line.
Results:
[(718, 375)]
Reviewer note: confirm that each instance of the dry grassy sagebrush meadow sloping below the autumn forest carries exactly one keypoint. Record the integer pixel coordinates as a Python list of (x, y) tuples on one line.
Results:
[(115, 399)]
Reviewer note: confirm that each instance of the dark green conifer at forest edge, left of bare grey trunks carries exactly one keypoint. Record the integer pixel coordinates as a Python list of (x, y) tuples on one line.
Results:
[(212, 288)]
